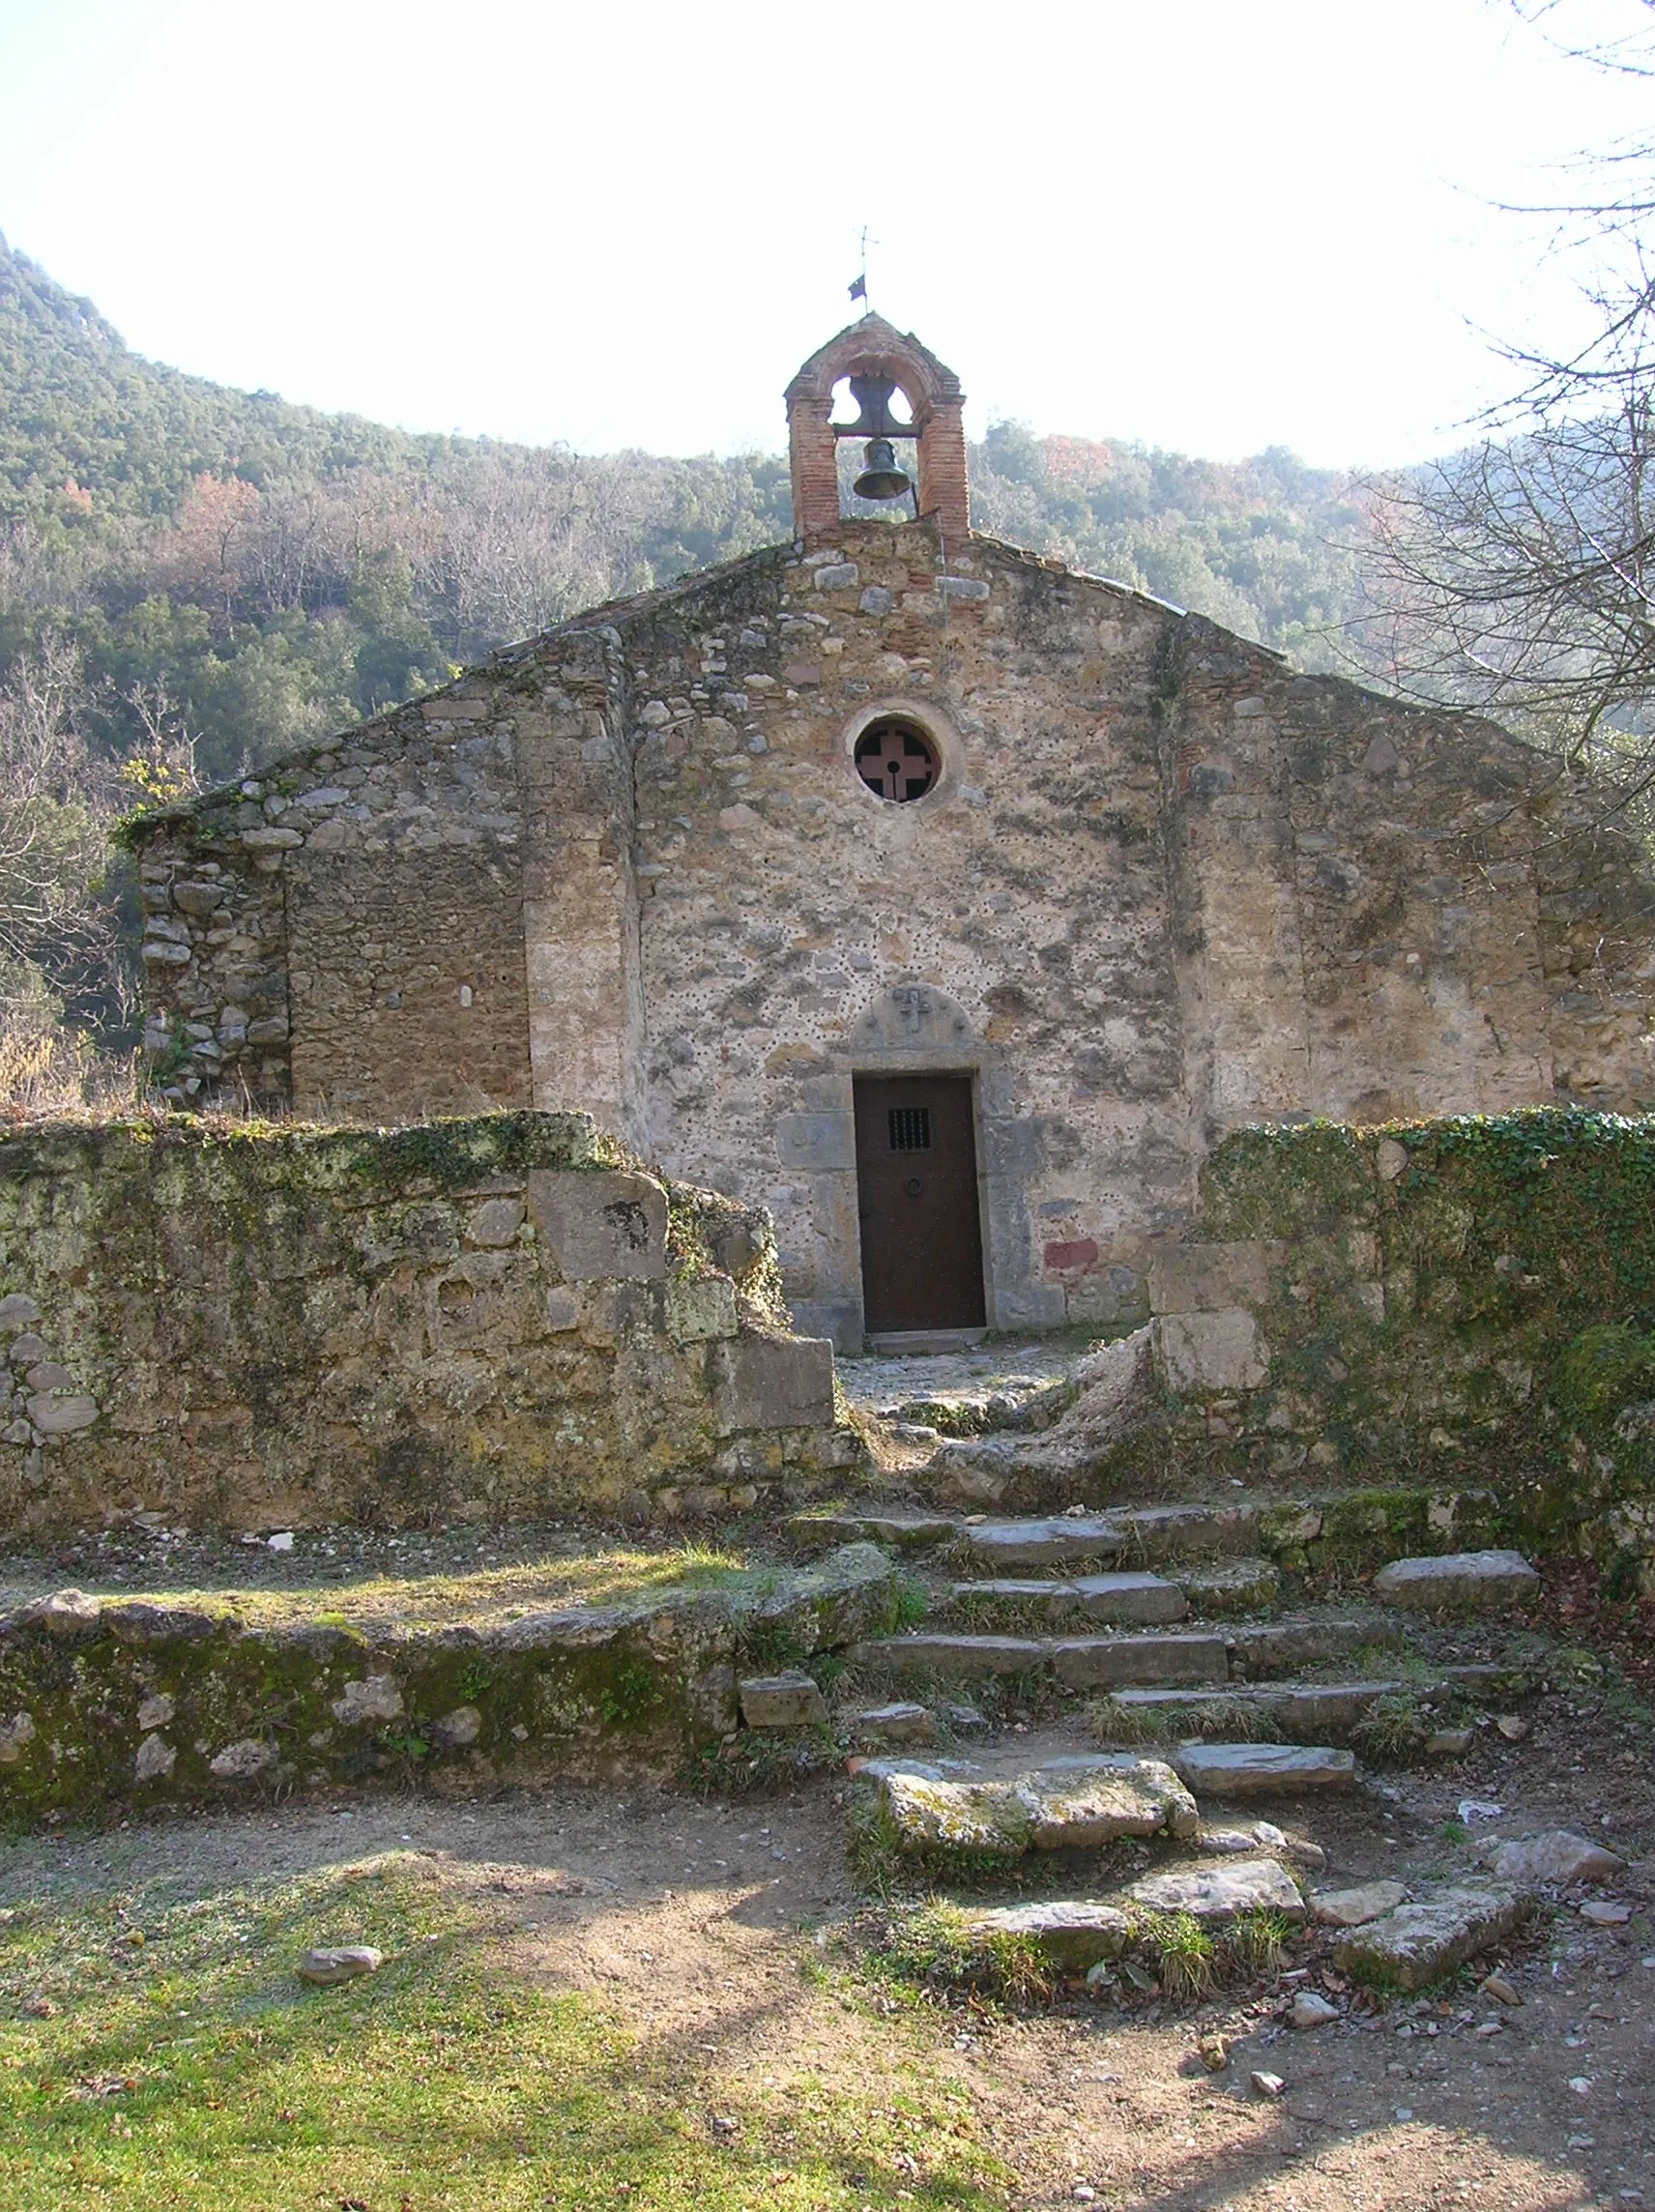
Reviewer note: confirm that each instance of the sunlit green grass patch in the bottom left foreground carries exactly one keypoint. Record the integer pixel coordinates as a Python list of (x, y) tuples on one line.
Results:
[(194, 2072)]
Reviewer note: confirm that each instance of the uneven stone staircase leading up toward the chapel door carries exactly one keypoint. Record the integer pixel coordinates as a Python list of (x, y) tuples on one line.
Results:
[(1099, 1707)]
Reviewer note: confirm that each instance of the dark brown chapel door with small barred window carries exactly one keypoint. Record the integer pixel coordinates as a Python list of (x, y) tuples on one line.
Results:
[(917, 1193)]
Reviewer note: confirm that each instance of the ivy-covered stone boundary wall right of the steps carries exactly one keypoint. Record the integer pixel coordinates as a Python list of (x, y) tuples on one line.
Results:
[(1459, 1302)]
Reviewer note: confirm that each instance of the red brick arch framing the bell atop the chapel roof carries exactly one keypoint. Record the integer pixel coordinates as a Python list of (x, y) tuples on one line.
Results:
[(877, 348)]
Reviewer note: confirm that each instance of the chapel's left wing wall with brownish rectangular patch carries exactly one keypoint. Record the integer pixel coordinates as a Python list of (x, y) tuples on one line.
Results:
[(426, 917)]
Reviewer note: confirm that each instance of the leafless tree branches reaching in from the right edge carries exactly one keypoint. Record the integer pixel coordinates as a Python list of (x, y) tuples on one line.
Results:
[(1519, 576)]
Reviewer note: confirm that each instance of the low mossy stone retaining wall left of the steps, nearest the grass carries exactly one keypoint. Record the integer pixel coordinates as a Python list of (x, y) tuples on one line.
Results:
[(154, 1704)]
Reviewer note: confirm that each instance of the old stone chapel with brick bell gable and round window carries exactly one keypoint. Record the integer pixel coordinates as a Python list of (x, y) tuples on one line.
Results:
[(937, 897)]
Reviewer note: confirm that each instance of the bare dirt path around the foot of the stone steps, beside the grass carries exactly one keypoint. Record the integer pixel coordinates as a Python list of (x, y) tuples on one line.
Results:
[(694, 1923)]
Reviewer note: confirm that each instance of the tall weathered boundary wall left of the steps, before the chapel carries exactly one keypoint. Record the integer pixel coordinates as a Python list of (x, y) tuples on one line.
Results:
[(260, 1328)]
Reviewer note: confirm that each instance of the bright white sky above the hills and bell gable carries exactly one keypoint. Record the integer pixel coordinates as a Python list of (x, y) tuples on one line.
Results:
[(1200, 225)]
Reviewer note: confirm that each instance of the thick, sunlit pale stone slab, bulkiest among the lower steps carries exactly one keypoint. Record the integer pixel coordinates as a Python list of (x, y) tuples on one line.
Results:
[(1032, 1813)]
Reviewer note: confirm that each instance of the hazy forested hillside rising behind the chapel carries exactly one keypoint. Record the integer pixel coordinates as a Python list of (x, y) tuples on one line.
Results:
[(194, 578)]
